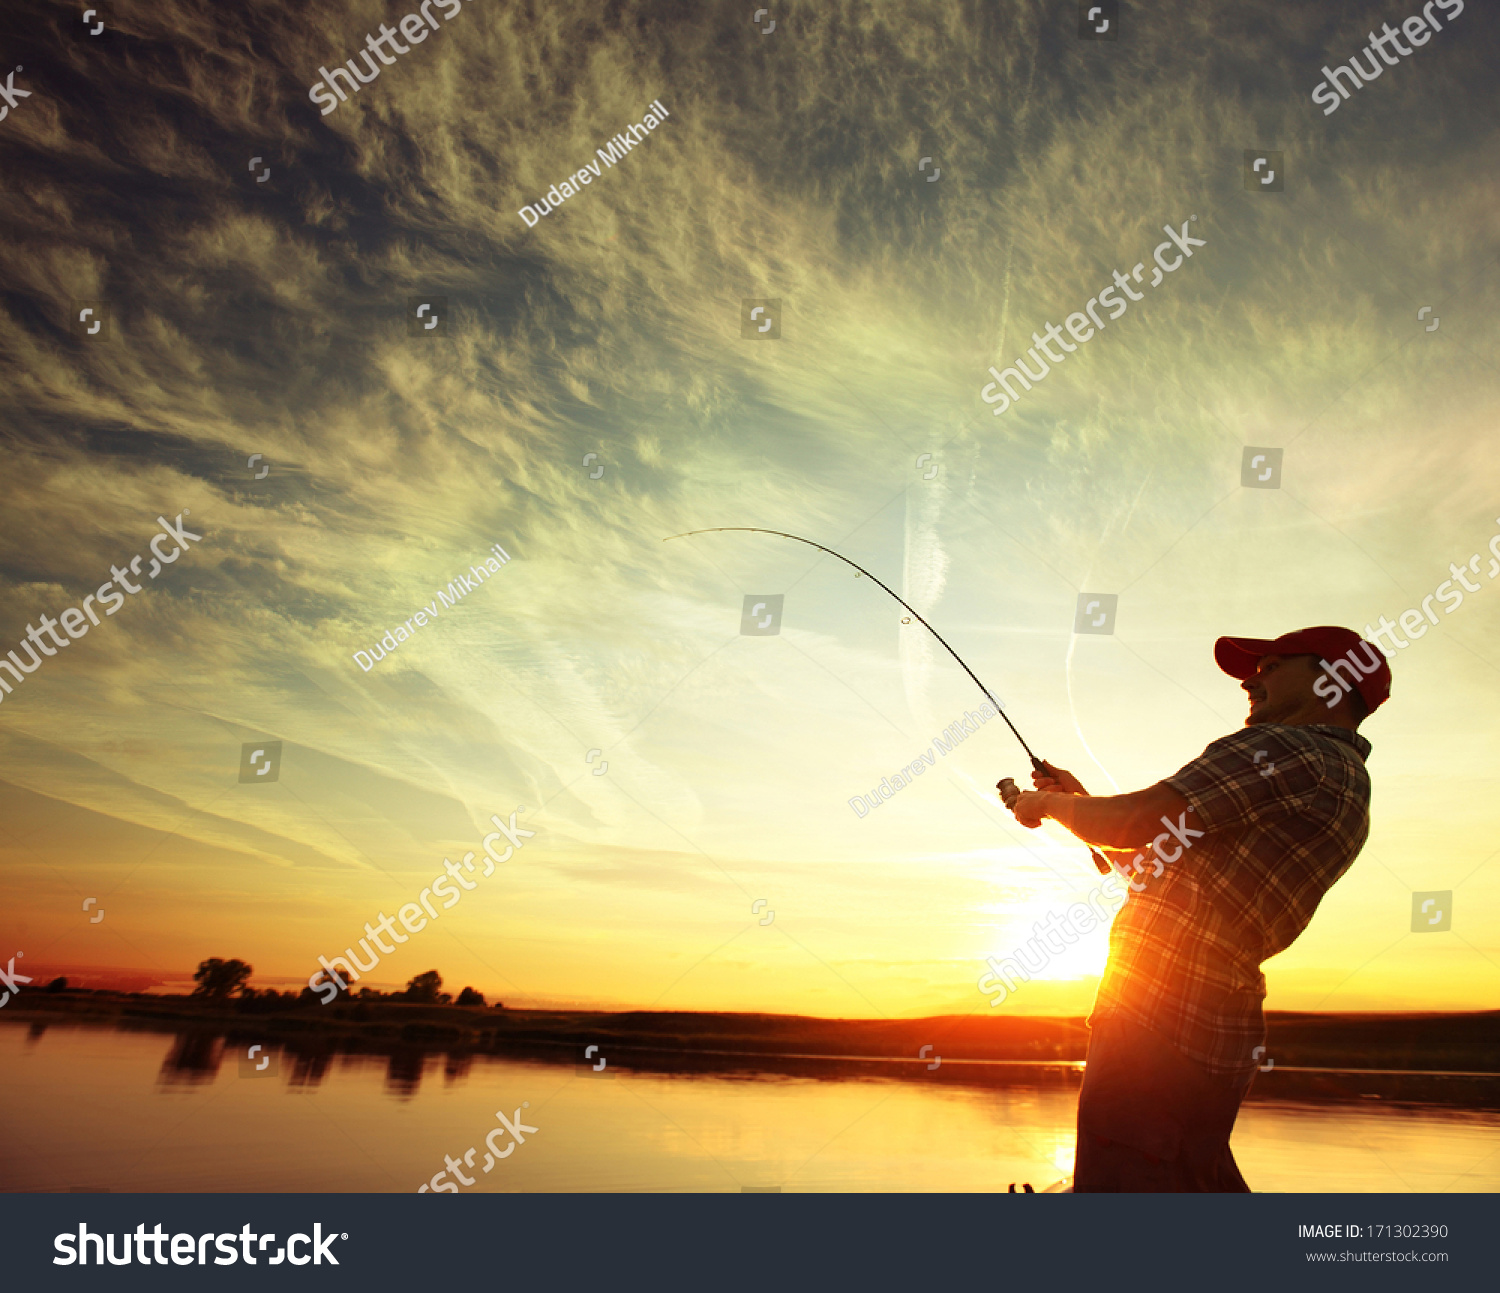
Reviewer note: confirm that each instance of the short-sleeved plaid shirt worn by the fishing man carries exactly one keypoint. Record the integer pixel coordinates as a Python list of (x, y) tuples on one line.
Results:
[(1279, 832)]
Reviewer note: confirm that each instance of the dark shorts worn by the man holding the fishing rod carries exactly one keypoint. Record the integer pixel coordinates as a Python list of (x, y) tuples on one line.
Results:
[(1153, 1121)]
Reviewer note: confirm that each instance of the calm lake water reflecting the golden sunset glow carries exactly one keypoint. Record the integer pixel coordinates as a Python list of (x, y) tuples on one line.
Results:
[(98, 1109)]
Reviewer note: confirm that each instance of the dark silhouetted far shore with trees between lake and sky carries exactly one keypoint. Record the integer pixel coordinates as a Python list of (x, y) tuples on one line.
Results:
[(1421, 1058)]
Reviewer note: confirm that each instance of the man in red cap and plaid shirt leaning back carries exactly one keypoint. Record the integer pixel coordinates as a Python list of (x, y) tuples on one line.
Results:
[(1243, 844)]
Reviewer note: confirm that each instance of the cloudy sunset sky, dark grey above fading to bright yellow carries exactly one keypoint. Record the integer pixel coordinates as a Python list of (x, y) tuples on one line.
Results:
[(592, 391)]
